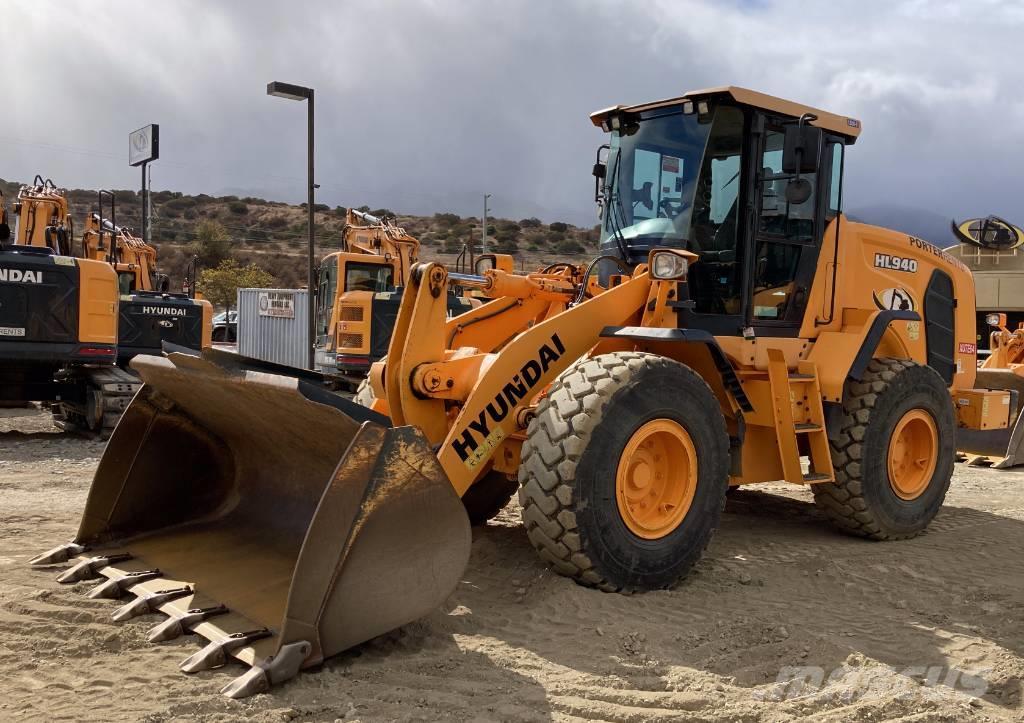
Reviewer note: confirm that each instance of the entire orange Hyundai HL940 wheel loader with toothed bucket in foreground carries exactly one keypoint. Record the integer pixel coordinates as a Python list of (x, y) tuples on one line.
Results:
[(731, 334)]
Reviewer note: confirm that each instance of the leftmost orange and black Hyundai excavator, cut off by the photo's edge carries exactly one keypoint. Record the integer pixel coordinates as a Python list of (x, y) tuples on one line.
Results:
[(58, 316)]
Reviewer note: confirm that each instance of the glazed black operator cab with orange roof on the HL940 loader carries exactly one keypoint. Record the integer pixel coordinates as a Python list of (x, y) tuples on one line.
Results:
[(747, 182)]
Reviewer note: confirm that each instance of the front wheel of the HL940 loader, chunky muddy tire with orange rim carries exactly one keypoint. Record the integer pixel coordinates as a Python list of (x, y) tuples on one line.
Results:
[(578, 512)]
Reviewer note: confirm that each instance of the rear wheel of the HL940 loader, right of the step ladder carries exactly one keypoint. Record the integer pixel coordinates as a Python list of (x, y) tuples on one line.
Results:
[(871, 498)]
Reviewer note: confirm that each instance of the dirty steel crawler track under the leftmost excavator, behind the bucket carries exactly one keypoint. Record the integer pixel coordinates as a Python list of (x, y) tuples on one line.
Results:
[(107, 394)]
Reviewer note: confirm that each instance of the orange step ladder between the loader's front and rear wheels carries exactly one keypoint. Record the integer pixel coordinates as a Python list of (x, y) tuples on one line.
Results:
[(797, 410)]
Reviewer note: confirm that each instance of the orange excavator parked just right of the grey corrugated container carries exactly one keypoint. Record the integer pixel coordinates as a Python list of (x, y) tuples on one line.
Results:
[(360, 290)]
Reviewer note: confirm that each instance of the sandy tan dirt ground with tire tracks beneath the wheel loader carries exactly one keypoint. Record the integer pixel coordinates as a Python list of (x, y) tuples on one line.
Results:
[(926, 630)]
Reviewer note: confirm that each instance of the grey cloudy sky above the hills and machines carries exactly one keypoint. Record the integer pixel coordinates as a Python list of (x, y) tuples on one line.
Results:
[(423, 105)]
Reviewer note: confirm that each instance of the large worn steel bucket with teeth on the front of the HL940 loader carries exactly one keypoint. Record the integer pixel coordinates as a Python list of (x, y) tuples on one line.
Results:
[(252, 511)]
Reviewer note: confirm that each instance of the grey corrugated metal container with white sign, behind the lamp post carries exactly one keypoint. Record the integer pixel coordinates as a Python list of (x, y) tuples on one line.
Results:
[(273, 326)]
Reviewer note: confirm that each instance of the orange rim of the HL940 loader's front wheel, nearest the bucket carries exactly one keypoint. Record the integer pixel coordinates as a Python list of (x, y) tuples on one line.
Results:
[(657, 479)]
